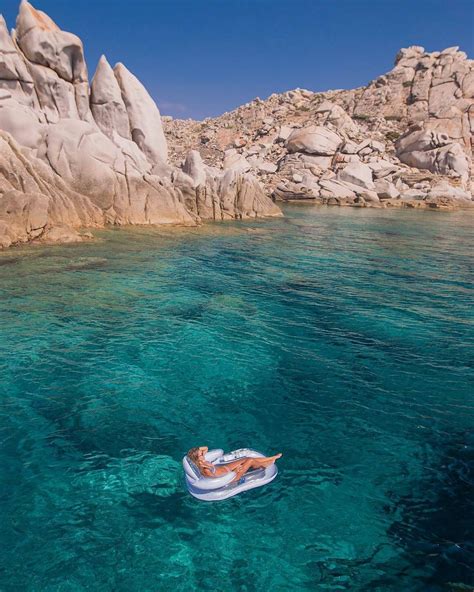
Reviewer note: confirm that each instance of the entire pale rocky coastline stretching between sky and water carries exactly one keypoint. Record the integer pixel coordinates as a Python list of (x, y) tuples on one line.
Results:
[(76, 154)]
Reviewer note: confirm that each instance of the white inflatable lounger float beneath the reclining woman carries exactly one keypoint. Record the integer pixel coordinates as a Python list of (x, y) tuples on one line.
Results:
[(213, 489)]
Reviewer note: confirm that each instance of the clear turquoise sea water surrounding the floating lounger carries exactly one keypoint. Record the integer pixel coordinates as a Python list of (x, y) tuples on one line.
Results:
[(341, 337)]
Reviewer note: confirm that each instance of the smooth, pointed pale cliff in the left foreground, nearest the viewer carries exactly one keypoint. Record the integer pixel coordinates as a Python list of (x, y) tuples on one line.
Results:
[(74, 154)]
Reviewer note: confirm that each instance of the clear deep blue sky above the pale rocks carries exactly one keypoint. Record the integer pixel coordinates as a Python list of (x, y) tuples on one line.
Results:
[(200, 58)]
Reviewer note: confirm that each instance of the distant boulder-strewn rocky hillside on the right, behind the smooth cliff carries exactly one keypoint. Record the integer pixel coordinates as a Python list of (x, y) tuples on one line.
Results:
[(405, 140)]
